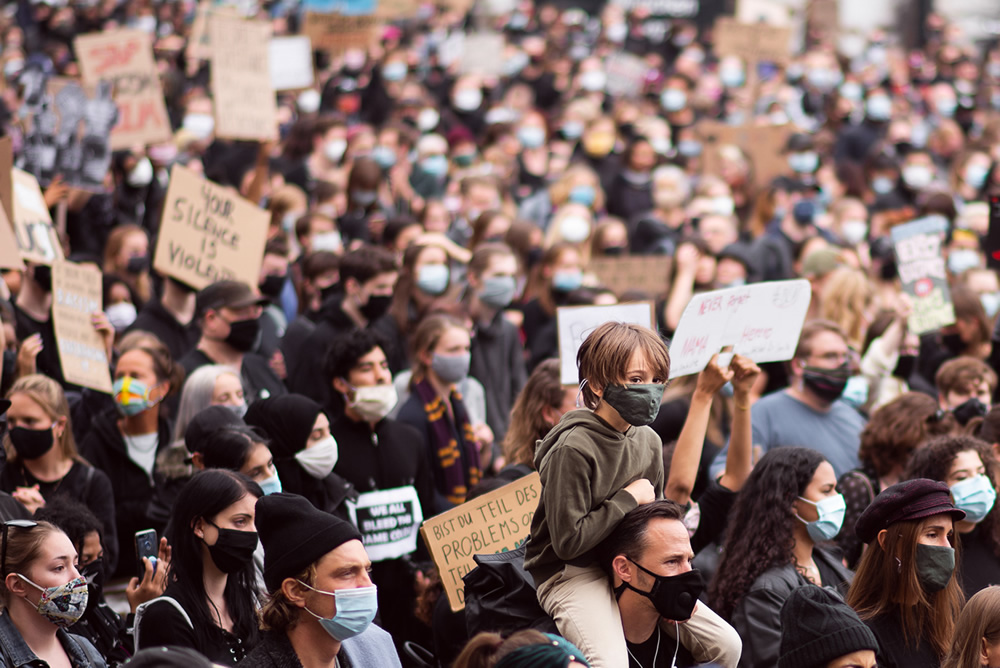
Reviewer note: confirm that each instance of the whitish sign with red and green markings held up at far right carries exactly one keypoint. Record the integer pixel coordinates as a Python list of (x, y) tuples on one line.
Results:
[(922, 272)]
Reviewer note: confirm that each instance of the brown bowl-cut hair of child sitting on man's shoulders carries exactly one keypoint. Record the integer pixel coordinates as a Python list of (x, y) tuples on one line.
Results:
[(604, 356)]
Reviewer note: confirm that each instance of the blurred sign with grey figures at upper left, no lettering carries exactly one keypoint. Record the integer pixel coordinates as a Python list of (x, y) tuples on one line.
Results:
[(70, 130)]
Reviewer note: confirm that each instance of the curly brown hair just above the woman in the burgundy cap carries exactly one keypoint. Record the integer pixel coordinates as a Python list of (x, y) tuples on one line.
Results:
[(899, 427)]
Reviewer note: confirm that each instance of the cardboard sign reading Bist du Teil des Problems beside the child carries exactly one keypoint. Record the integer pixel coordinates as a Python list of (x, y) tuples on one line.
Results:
[(496, 522)]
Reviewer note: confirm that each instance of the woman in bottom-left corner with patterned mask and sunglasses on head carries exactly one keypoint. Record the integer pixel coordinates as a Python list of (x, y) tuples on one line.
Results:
[(42, 594)]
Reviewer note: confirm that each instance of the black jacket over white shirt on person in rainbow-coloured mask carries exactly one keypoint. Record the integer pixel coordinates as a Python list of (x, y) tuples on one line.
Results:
[(105, 448)]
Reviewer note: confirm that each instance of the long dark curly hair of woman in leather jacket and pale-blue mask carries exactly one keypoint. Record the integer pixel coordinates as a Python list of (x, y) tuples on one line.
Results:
[(761, 524)]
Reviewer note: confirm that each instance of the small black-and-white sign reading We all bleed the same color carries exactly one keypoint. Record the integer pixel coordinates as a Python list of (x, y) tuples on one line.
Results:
[(388, 520)]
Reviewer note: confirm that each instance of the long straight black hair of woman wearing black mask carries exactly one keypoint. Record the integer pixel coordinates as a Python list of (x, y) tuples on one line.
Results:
[(206, 495)]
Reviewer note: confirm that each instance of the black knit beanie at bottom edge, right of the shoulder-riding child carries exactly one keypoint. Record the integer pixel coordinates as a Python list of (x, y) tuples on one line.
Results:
[(817, 627)]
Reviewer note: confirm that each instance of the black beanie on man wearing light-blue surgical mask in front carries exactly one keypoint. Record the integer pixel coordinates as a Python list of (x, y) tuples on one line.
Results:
[(295, 534)]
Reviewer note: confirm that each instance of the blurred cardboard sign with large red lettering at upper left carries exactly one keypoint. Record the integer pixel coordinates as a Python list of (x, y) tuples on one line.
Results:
[(124, 59)]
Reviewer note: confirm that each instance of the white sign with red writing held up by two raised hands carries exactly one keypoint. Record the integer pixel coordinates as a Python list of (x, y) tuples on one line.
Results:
[(761, 321)]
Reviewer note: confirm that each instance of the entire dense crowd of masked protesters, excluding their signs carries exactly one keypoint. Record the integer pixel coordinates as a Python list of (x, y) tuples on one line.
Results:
[(425, 224)]
